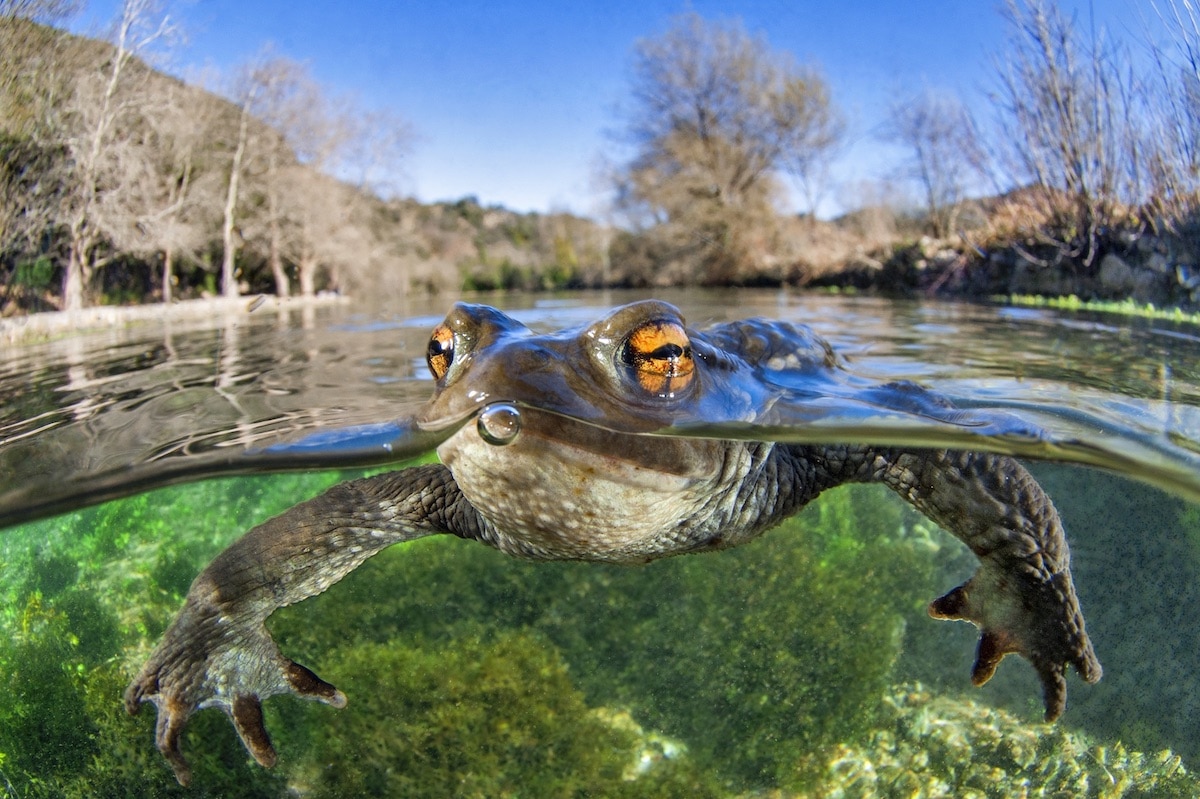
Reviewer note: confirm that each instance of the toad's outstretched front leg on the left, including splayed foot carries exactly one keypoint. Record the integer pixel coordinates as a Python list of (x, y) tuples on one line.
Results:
[(219, 654)]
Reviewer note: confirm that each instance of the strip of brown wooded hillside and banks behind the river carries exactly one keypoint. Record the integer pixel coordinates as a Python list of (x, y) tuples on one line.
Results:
[(136, 188)]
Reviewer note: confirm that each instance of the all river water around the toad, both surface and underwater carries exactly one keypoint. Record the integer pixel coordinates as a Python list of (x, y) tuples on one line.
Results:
[(803, 664)]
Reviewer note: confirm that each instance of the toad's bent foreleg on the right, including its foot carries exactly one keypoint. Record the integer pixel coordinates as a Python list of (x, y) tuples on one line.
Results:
[(1022, 598)]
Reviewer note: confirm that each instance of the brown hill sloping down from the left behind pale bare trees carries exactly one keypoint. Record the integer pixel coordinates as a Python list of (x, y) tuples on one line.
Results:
[(355, 241)]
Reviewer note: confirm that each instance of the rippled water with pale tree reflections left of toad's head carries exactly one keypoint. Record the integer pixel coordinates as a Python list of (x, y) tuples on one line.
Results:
[(154, 402)]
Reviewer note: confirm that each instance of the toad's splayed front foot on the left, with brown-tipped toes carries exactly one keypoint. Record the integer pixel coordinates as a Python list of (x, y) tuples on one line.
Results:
[(236, 672)]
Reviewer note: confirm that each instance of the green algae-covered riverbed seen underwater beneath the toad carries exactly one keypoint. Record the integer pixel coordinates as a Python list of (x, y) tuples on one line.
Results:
[(759, 668)]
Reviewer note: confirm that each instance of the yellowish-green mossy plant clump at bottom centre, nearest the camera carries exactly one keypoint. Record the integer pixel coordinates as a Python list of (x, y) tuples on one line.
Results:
[(472, 718)]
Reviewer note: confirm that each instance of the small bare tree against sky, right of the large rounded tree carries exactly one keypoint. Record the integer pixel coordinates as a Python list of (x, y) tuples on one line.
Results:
[(946, 155)]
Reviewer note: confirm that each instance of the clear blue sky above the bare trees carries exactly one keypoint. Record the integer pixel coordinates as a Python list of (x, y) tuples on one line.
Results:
[(512, 100)]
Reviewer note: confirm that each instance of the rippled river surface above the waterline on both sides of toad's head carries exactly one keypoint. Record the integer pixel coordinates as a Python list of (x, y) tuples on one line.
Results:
[(109, 413)]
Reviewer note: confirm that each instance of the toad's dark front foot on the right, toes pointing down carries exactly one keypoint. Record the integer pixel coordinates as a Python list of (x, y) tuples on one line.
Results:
[(1018, 614)]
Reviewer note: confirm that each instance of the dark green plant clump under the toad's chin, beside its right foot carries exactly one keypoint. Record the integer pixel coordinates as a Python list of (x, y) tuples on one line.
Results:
[(785, 646)]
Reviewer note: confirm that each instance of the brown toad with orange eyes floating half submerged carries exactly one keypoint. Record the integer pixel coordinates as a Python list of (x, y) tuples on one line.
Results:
[(557, 468)]
